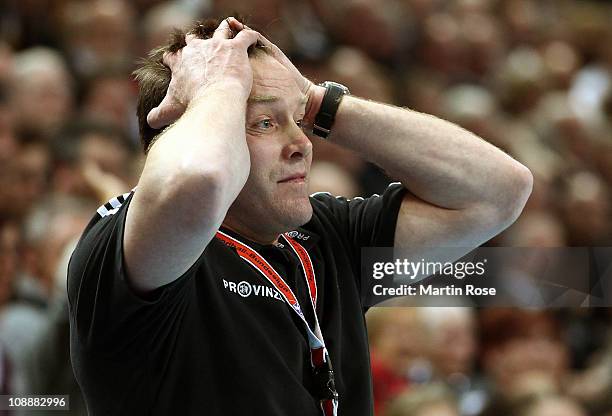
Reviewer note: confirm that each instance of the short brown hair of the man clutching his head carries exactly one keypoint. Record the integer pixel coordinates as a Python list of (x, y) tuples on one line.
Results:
[(153, 76)]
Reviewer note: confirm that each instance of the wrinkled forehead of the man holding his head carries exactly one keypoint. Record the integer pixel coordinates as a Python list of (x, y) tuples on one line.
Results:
[(272, 81)]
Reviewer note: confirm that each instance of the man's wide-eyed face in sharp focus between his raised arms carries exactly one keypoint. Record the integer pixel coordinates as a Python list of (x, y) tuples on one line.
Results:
[(275, 197)]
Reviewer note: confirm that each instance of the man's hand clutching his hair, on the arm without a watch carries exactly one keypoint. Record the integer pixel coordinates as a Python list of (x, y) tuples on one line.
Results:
[(205, 64)]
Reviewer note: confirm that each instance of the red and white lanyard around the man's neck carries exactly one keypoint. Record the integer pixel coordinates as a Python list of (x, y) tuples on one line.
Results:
[(318, 352)]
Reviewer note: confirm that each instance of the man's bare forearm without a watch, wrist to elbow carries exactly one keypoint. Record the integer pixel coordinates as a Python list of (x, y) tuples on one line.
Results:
[(207, 144)]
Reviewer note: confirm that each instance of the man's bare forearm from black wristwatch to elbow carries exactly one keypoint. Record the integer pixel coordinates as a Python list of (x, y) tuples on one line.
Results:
[(438, 161)]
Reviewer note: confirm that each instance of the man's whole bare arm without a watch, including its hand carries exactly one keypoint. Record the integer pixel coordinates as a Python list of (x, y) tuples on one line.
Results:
[(198, 165)]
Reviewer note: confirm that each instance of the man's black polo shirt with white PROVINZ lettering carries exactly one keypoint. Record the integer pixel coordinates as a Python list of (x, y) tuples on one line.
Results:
[(220, 340)]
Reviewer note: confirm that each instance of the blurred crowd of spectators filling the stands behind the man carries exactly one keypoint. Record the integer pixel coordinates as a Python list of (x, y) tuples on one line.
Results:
[(533, 77)]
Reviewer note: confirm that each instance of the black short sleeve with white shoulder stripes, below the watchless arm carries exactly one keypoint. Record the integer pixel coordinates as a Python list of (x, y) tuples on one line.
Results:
[(105, 312)]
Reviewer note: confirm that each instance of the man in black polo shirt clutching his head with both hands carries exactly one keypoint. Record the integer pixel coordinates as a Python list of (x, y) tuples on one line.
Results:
[(194, 293)]
